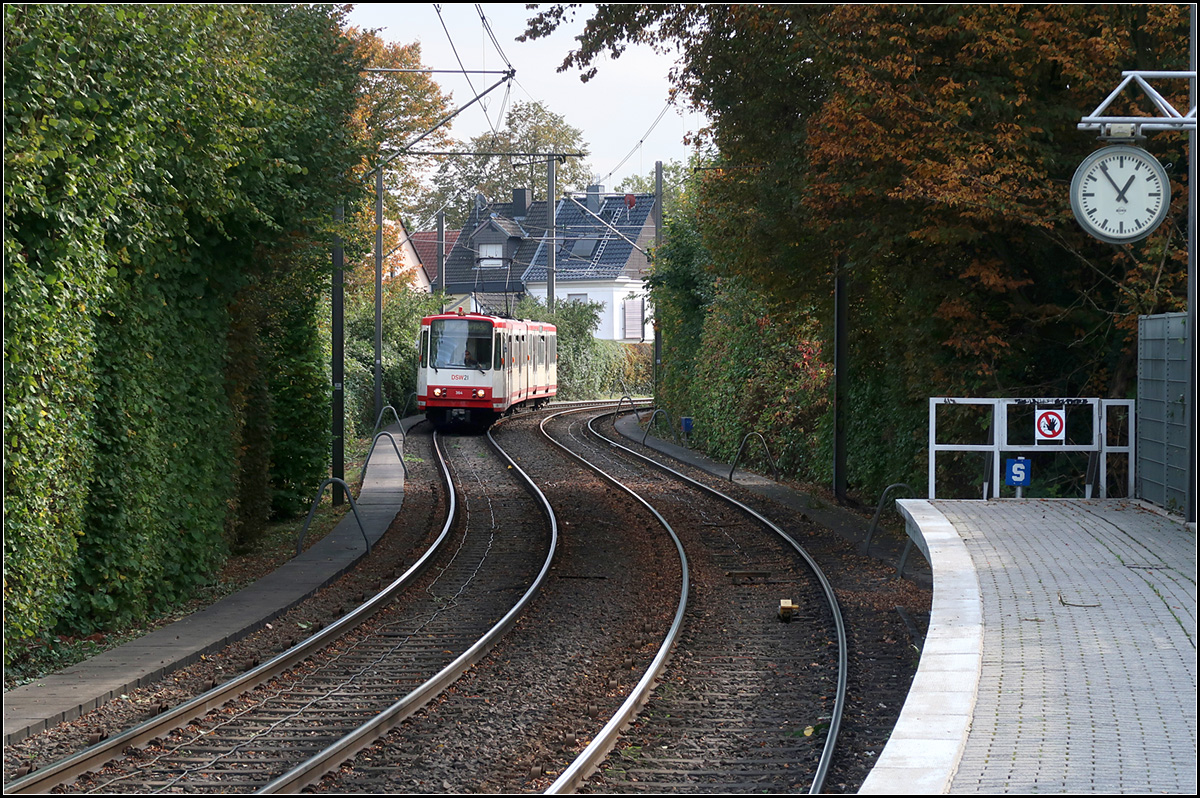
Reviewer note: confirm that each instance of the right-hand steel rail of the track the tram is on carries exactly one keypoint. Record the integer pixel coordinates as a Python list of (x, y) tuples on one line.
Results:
[(314, 769)]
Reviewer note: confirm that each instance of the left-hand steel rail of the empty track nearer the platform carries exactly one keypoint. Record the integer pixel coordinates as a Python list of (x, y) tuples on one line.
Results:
[(603, 743)]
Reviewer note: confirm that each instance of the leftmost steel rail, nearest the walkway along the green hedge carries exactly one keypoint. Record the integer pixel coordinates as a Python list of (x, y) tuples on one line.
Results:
[(91, 759)]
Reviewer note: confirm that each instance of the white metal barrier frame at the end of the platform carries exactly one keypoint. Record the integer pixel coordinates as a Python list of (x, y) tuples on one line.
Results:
[(1000, 439)]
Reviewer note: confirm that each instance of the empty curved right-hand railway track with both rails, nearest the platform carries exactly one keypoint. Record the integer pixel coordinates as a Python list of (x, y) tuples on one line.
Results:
[(747, 692)]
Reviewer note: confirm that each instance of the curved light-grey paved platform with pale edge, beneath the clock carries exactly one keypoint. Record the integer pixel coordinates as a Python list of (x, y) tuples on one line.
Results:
[(1061, 656)]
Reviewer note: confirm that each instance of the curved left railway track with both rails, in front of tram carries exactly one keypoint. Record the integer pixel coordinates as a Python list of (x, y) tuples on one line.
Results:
[(285, 723)]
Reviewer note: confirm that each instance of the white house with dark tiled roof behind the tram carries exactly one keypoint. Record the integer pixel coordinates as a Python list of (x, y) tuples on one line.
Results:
[(601, 243)]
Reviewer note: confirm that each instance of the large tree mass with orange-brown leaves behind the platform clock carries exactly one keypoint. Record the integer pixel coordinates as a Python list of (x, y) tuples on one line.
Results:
[(922, 153)]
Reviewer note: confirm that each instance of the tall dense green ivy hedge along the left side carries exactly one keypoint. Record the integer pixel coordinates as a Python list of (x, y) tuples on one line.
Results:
[(170, 173)]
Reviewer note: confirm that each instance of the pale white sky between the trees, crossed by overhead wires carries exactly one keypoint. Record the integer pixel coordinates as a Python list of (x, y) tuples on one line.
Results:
[(616, 111)]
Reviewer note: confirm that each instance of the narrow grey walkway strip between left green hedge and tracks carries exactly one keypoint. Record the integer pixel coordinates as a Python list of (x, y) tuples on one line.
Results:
[(80, 689)]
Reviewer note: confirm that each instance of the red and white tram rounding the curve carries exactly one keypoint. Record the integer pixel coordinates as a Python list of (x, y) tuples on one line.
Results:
[(475, 369)]
